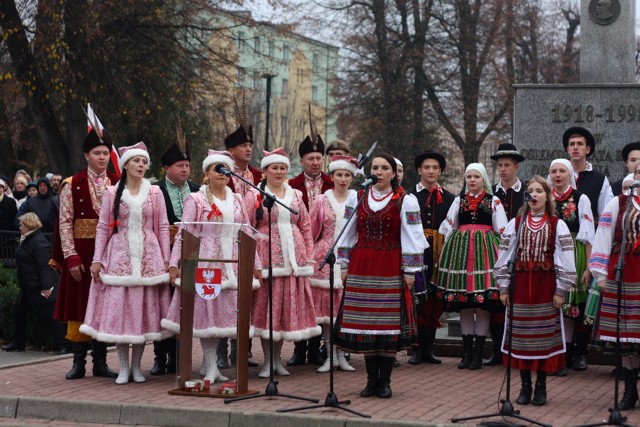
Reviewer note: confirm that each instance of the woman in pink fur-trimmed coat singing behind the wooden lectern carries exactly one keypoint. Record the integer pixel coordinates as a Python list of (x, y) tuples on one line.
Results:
[(213, 318)]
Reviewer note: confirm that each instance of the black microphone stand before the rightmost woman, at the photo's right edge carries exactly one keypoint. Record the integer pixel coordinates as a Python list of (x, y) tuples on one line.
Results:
[(616, 418)]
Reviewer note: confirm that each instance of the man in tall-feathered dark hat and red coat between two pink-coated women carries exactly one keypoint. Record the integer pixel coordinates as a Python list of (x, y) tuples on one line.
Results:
[(311, 182)]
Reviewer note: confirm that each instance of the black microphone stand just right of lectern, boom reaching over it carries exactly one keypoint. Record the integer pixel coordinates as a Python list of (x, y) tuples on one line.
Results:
[(272, 387)]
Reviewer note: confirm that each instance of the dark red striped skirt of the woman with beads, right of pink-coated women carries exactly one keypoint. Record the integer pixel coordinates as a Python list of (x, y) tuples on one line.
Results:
[(374, 315)]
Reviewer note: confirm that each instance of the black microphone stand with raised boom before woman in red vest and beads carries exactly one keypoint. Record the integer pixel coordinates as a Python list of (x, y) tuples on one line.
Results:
[(331, 401)]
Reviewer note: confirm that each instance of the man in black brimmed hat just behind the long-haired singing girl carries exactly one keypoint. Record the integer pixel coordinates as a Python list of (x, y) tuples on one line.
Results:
[(510, 191)]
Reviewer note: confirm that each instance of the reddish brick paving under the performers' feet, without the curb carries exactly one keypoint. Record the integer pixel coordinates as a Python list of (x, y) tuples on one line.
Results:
[(429, 393)]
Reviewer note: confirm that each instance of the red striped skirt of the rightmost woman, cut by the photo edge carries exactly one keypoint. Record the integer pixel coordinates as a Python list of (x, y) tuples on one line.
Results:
[(630, 307)]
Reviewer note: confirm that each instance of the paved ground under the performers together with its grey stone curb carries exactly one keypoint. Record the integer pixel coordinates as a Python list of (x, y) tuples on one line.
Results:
[(422, 395)]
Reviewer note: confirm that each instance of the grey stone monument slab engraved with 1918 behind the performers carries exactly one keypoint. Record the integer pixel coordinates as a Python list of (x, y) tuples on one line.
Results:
[(544, 112)]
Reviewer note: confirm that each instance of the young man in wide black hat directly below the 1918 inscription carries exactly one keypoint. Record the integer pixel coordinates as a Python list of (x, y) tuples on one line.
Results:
[(580, 144)]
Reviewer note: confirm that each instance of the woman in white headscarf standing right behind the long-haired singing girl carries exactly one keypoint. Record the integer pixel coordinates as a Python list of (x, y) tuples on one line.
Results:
[(574, 208)]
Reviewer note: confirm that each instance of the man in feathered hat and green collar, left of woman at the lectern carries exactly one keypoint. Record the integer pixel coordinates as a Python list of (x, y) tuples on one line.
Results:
[(175, 188)]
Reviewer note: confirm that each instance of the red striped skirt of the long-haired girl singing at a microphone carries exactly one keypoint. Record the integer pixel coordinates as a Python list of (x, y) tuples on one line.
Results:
[(537, 342)]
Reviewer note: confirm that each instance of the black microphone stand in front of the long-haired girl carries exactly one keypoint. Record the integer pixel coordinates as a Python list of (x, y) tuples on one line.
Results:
[(507, 410)]
